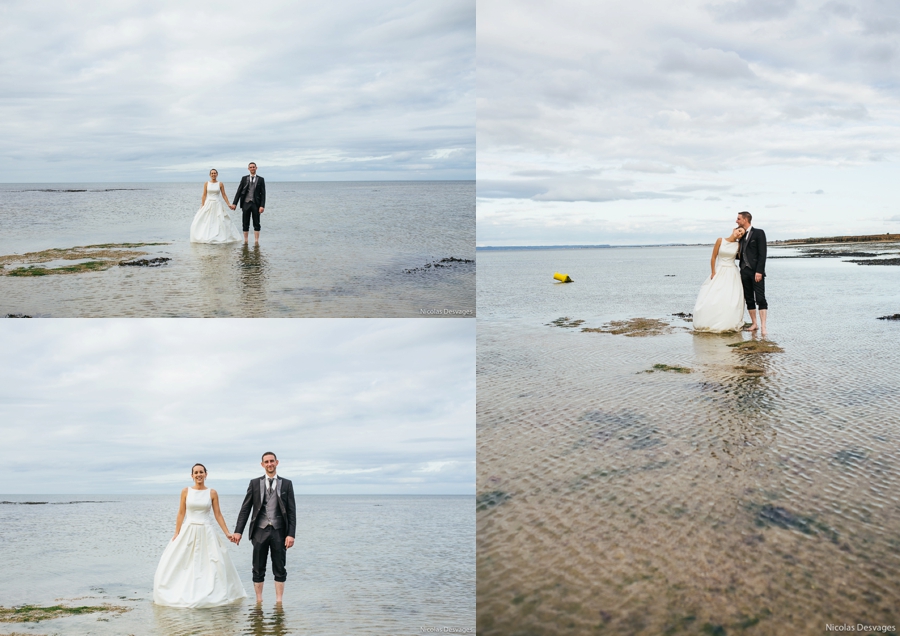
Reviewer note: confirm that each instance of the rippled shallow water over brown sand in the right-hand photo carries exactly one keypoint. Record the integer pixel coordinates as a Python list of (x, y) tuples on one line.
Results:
[(757, 494)]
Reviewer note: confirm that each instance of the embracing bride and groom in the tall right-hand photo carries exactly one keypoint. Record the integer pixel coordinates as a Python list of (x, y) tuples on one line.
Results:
[(738, 277)]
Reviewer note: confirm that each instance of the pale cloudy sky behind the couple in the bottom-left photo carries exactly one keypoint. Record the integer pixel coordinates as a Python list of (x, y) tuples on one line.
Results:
[(127, 406)]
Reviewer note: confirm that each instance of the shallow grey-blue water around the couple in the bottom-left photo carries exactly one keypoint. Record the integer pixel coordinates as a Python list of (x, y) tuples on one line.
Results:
[(366, 565)]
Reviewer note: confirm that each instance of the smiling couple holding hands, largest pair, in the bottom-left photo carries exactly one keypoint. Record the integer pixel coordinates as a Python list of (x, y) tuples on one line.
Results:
[(195, 569)]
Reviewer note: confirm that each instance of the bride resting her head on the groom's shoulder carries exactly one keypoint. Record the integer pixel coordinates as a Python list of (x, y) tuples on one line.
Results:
[(720, 304)]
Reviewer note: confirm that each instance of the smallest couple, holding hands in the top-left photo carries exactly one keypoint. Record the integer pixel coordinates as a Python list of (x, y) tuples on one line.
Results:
[(212, 223)]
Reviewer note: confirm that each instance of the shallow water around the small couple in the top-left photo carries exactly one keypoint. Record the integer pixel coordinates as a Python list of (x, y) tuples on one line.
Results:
[(326, 250)]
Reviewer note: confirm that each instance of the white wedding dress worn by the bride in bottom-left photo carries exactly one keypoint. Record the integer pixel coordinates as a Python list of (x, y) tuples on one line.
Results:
[(195, 569)]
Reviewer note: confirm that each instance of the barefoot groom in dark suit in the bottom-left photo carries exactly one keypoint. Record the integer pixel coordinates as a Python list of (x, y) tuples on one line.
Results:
[(272, 524)]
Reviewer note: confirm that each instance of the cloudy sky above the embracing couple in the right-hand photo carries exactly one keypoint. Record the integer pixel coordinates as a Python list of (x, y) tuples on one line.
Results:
[(627, 122)]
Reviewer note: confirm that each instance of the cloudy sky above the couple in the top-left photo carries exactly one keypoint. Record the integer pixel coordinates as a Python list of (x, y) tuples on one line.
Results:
[(129, 90)]
